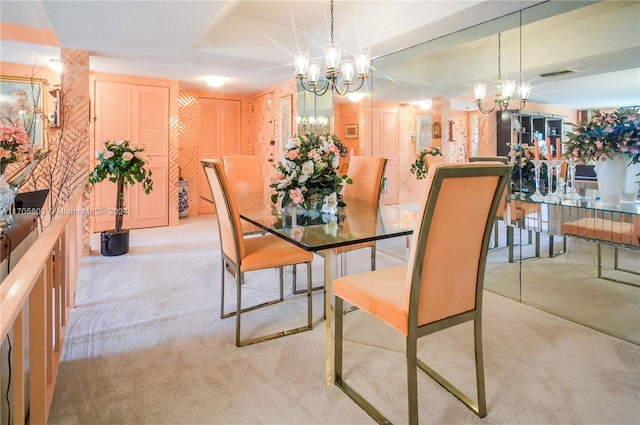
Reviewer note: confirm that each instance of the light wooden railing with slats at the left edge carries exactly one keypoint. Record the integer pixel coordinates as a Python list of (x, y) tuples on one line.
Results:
[(35, 299)]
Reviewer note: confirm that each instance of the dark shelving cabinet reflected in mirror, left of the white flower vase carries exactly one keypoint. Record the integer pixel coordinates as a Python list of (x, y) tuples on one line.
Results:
[(514, 127)]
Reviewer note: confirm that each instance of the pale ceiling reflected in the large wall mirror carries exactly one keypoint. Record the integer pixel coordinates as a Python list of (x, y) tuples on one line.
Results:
[(599, 40)]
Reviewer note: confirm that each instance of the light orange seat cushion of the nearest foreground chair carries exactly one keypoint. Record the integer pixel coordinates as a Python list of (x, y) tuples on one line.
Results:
[(380, 293)]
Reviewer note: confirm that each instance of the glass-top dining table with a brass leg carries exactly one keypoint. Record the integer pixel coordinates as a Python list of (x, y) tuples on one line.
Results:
[(355, 223)]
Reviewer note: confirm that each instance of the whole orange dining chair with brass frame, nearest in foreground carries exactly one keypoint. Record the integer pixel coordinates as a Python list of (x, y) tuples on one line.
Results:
[(431, 292)]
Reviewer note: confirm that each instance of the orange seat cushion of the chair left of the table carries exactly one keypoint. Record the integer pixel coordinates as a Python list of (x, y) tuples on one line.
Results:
[(262, 252)]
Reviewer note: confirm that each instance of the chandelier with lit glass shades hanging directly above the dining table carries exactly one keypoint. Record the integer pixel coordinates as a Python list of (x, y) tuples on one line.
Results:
[(309, 70)]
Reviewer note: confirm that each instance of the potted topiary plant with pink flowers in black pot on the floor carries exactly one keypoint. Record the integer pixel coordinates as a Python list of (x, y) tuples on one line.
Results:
[(122, 163)]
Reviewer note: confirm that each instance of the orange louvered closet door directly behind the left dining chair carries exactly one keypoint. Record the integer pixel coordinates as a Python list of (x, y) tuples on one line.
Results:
[(219, 135)]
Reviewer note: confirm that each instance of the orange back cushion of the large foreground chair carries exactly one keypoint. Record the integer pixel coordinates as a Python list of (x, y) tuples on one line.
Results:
[(452, 253)]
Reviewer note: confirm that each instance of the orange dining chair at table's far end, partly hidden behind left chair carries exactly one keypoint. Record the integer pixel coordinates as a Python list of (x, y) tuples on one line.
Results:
[(245, 176)]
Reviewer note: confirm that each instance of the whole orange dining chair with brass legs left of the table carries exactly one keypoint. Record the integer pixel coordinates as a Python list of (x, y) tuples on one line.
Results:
[(244, 254)]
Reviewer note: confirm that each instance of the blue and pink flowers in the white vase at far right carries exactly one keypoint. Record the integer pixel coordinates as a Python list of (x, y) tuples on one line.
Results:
[(606, 135)]
